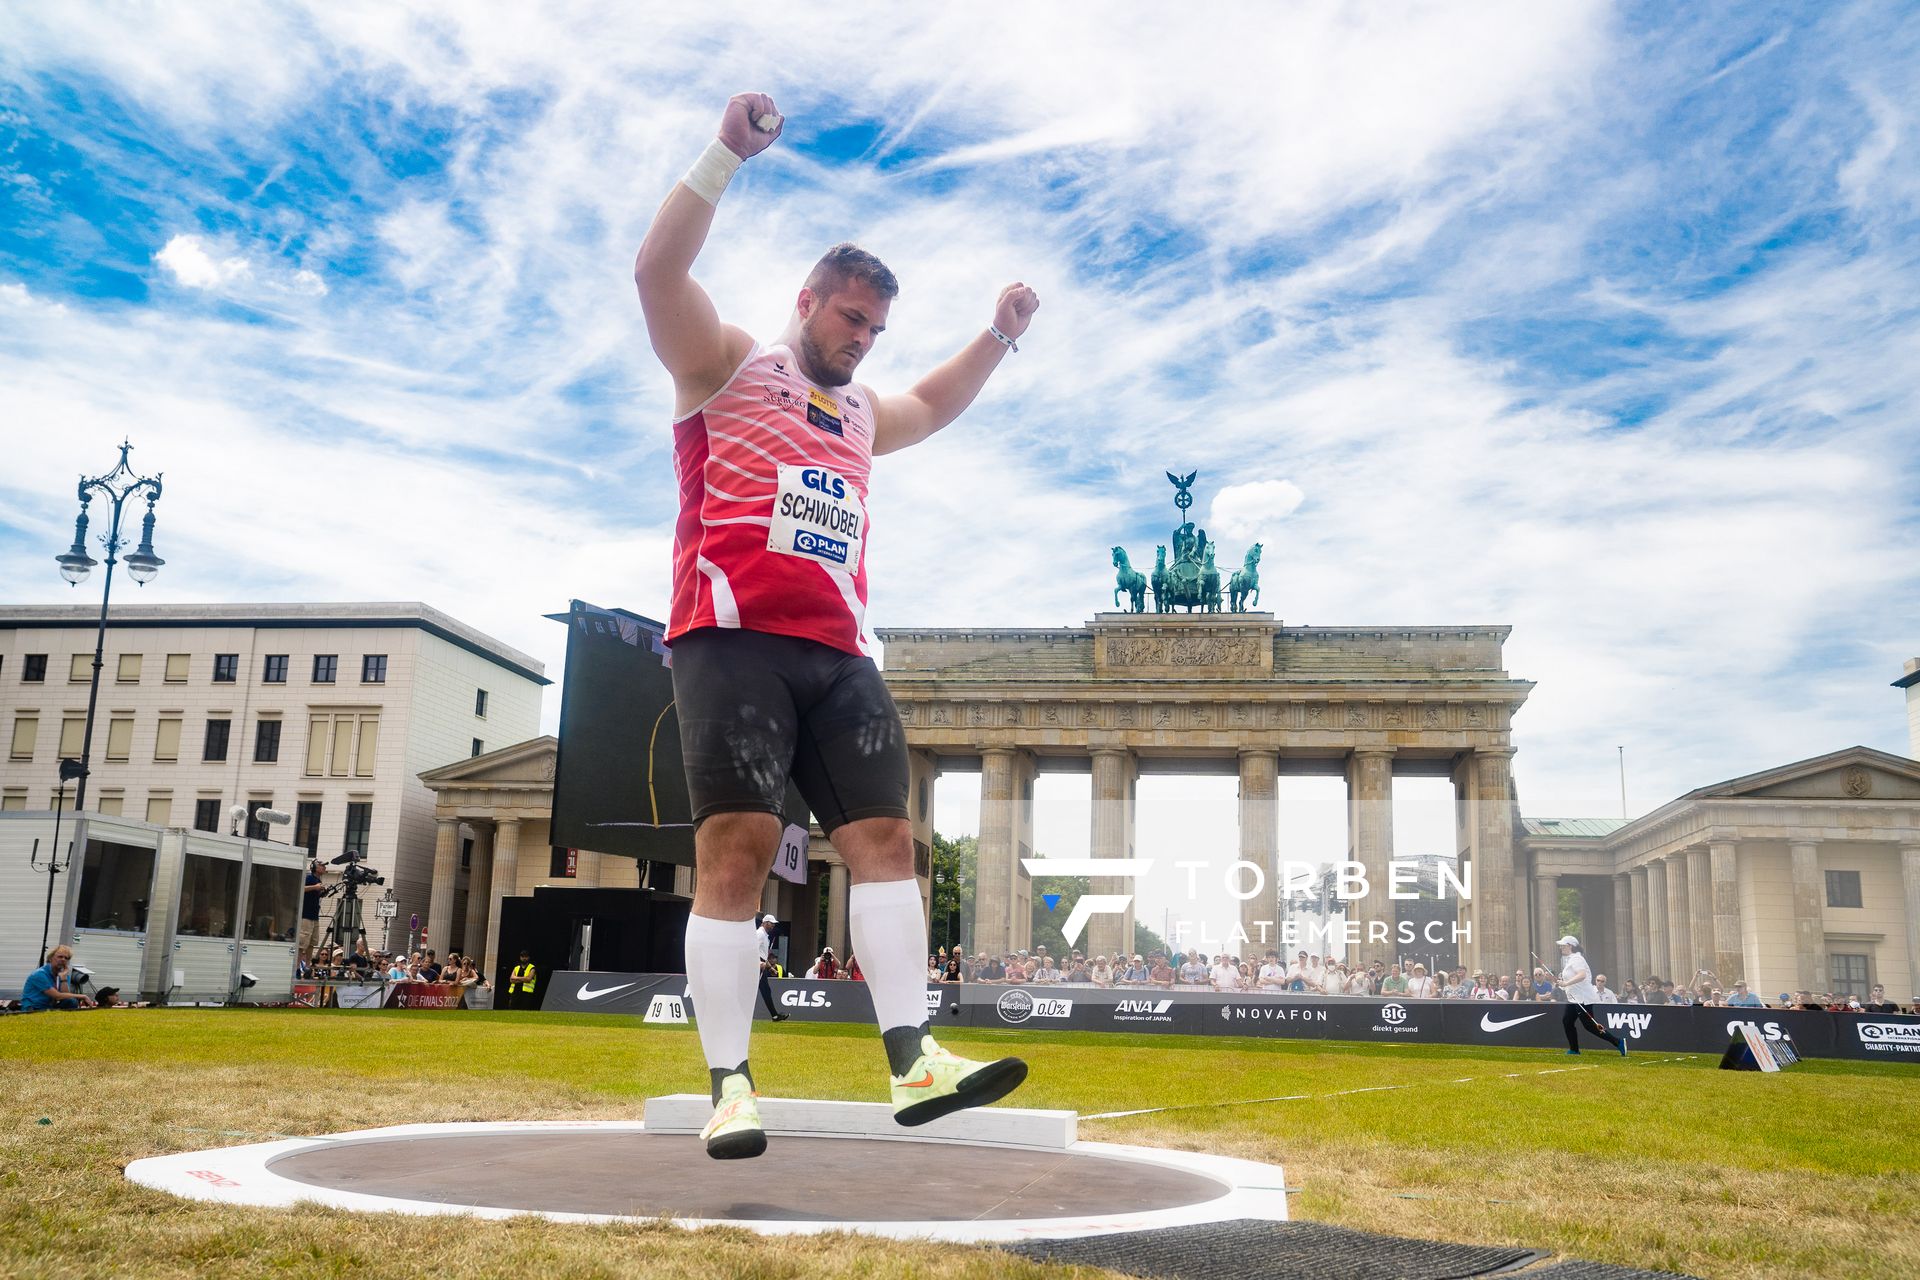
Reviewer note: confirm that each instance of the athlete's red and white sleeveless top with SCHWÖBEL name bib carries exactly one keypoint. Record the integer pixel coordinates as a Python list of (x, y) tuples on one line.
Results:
[(773, 477)]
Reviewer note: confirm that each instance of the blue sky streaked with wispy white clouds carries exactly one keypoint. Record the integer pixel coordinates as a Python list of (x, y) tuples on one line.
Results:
[(1596, 321)]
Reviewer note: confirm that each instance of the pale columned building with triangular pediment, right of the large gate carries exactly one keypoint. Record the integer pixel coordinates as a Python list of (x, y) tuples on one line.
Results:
[(1800, 878)]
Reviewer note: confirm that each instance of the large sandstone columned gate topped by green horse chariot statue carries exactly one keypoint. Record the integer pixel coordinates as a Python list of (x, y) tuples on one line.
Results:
[(1241, 694)]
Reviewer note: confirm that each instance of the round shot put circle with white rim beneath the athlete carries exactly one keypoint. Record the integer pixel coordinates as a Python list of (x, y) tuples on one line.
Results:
[(619, 1172)]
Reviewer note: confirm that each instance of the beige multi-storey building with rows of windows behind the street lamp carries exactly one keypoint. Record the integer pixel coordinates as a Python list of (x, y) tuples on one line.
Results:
[(329, 713)]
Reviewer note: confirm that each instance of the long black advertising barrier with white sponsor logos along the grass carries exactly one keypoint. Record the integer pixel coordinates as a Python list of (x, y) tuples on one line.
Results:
[(1305, 1018)]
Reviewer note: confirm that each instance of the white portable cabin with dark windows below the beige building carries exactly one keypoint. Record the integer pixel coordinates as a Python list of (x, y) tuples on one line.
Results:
[(153, 911)]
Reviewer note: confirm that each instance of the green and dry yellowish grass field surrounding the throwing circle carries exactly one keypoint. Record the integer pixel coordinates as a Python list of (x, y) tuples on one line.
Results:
[(1646, 1162)]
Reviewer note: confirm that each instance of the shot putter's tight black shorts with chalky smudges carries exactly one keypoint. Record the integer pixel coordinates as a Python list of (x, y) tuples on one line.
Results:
[(759, 709)]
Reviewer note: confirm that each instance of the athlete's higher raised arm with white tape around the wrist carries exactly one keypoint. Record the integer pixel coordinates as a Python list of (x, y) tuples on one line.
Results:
[(686, 333)]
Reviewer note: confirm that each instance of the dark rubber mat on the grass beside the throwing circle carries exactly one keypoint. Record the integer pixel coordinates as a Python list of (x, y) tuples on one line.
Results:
[(1260, 1250)]
